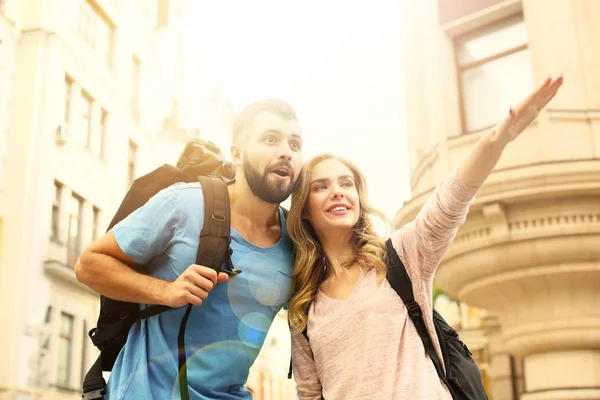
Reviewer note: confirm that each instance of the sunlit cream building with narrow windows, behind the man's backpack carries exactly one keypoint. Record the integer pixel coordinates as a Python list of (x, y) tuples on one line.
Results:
[(93, 93)]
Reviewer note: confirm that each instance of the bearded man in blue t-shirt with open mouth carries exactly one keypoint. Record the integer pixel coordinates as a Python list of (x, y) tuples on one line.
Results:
[(225, 332)]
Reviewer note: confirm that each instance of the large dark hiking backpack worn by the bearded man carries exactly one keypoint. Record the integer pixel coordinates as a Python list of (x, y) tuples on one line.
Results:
[(200, 161)]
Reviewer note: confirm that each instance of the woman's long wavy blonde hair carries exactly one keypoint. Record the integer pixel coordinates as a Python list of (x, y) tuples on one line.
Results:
[(309, 270)]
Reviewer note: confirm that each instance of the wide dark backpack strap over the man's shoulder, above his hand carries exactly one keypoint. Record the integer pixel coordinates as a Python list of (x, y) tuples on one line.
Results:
[(216, 231)]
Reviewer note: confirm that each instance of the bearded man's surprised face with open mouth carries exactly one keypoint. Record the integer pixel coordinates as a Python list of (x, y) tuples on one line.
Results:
[(272, 156)]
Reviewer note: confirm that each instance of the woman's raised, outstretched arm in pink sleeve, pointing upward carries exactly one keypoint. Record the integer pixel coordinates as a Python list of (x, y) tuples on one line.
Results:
[(423, 242)]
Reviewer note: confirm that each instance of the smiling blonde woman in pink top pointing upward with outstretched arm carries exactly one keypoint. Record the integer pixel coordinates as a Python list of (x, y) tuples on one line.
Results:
[(361, 342)]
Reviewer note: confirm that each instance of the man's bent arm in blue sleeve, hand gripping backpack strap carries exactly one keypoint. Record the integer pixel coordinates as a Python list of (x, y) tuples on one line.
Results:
[(105, 266)]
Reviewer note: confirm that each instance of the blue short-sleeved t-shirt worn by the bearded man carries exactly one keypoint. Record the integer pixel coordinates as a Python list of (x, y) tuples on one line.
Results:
[(224, 334)]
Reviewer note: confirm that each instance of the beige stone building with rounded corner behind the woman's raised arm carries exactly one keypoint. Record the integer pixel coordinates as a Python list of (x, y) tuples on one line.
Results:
[(529, 252)]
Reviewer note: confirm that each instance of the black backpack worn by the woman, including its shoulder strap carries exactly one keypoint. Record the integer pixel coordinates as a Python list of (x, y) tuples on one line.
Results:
[(462, 375)]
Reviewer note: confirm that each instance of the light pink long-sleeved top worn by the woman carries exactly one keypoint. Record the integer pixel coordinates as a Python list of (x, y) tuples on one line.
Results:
[(367, 347)]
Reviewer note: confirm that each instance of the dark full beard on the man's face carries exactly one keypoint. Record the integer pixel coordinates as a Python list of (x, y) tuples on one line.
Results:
[(268, 191)]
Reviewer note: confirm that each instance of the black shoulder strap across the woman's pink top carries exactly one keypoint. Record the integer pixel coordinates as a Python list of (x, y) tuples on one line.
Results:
[(400, 282)]
